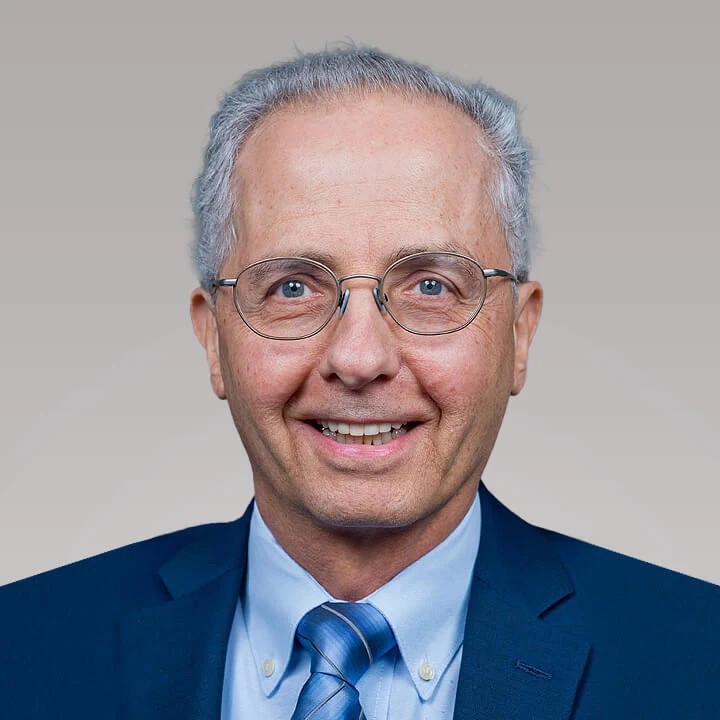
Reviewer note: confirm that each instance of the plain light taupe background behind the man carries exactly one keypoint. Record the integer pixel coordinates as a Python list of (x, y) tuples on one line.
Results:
[(110, 432)]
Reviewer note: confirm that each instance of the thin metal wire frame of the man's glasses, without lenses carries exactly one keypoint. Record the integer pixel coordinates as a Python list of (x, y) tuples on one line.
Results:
[(343, 296)]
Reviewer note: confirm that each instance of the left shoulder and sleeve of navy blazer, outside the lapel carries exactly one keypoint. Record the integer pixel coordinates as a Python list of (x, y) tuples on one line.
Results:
[(60, 630)]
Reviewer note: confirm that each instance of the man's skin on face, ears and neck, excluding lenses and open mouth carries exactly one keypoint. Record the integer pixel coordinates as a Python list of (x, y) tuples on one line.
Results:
[(360, 179)]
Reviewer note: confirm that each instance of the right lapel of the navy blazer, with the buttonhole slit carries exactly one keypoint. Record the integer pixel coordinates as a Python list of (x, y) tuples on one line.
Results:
[(521, 657)]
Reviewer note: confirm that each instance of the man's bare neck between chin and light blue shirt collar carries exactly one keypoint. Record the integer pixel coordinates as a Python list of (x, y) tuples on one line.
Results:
[(351, 563)]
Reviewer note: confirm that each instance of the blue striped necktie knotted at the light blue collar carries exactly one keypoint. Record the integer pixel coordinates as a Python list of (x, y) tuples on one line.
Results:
[(343, 640)]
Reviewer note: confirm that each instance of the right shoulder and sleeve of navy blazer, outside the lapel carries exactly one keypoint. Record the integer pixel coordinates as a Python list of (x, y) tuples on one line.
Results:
[(654, 633)]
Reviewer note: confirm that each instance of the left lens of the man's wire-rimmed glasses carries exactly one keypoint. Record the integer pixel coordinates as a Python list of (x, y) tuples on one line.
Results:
[(286, 298)]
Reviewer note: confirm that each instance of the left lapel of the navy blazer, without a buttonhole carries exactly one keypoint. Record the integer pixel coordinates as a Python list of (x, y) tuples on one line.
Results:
[(172, 655)]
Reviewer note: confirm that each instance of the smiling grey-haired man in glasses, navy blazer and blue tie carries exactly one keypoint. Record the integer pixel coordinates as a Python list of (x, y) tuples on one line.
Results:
[(366, 311)]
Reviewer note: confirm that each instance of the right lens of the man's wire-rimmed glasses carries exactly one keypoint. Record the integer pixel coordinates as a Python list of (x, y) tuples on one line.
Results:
[(432, 293)]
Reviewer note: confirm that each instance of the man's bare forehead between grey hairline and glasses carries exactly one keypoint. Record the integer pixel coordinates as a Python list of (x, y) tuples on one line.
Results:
[(361, 176)]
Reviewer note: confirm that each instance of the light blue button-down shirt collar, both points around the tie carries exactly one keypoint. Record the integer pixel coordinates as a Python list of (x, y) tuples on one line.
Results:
[(425, 604)]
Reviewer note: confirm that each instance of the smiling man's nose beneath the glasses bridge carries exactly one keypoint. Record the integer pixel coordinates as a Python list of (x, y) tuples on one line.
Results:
[(362, 346)]
